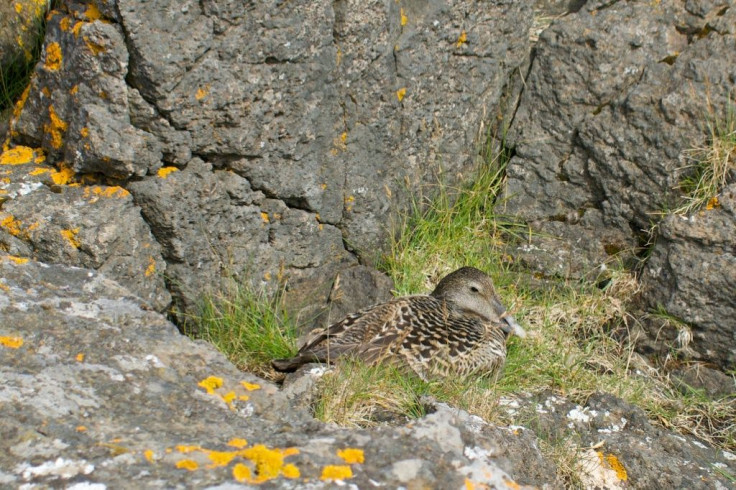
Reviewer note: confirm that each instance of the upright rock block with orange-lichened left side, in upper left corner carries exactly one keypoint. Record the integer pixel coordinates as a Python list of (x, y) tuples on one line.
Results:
[(77, 107)]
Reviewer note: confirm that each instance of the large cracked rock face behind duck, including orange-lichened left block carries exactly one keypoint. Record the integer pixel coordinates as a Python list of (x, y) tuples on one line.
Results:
[(266, 142)]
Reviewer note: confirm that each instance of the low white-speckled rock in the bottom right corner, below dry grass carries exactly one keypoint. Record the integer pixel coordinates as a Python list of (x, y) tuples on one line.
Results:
[(617, 446)]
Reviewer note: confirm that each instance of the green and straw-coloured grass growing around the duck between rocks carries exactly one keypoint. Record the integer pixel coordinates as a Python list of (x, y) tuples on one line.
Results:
[(570, 349)]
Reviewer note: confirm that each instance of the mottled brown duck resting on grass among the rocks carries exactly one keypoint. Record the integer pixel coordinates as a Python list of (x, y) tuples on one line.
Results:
[(459, 329)]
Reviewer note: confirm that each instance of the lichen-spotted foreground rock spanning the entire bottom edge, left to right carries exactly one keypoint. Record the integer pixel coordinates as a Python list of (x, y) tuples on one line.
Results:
[(109, 393)]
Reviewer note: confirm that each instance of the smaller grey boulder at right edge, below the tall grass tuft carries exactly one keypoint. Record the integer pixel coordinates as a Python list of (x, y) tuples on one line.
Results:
[(691, 275)]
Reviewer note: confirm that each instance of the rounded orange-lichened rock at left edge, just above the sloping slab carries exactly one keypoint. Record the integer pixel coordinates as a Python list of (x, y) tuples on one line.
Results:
[(94, 226)]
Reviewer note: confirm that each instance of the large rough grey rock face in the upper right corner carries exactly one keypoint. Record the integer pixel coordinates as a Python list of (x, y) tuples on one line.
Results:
[(614, 97)]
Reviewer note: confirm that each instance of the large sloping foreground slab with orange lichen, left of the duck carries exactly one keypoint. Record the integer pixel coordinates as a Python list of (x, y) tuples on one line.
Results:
[(110, 393)]
